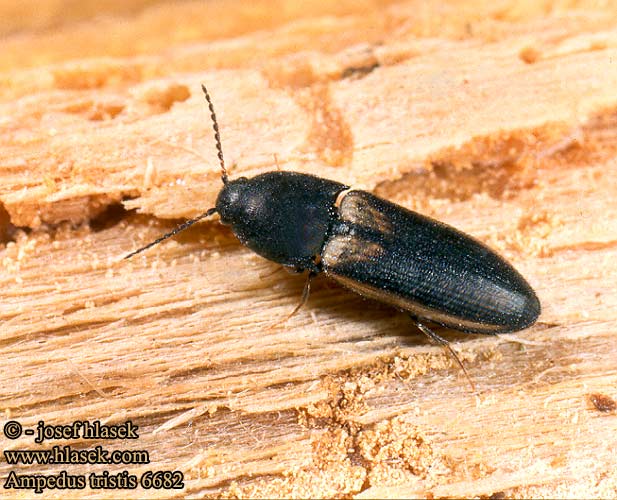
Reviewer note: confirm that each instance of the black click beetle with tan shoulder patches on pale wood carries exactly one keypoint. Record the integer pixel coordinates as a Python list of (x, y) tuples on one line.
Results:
[(373, 247)]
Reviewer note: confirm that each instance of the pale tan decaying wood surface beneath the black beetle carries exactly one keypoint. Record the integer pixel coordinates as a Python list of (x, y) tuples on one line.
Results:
[(500, 120)]
